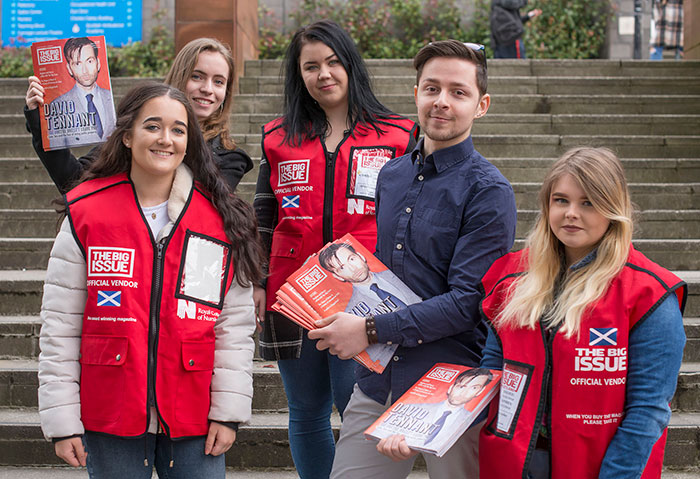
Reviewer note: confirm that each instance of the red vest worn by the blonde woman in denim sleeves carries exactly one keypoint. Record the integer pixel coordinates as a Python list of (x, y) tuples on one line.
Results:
[(588, 375)]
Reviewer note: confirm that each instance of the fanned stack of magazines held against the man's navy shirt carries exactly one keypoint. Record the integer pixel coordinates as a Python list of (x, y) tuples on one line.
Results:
[(344, 276)]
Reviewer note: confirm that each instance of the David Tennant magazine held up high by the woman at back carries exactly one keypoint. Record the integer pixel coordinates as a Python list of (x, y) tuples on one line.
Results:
[(78, 104)]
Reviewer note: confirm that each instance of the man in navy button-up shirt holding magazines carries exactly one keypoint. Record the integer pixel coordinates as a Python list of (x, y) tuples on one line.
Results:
[(444, 214)]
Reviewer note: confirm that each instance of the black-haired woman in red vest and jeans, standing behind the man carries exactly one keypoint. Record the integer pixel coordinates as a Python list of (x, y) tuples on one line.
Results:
[(317, 179)]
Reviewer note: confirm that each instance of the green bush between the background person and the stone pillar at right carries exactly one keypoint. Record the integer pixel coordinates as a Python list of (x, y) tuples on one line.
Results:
[(568, 29)]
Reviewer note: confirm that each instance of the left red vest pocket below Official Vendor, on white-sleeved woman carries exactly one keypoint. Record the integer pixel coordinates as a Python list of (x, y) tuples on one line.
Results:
[(102, 376)]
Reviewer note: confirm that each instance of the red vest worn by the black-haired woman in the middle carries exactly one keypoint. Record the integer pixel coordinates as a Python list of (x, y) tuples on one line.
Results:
[(320, 201)]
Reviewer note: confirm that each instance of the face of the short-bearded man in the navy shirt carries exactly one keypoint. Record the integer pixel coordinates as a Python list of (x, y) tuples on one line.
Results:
[(447, 99)]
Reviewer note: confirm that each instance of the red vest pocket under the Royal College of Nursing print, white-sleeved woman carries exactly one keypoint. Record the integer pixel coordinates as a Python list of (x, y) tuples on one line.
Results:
[(193, 396)]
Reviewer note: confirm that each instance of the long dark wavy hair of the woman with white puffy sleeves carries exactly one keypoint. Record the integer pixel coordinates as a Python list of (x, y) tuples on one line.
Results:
[(238, 216)]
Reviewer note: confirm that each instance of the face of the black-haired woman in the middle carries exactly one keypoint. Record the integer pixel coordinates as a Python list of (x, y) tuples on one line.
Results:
[(324, 76)]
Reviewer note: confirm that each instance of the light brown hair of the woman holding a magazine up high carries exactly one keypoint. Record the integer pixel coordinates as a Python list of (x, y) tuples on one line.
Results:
[(216, 124)]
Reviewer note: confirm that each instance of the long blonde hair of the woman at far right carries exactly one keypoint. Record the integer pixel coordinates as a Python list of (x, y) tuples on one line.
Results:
[(532, 296)]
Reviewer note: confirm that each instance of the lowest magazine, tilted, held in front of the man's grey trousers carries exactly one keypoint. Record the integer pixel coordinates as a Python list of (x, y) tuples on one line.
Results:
[(437, 410)]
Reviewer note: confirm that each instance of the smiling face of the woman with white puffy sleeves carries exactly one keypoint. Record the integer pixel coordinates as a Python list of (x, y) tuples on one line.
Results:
[(157, 139)]
